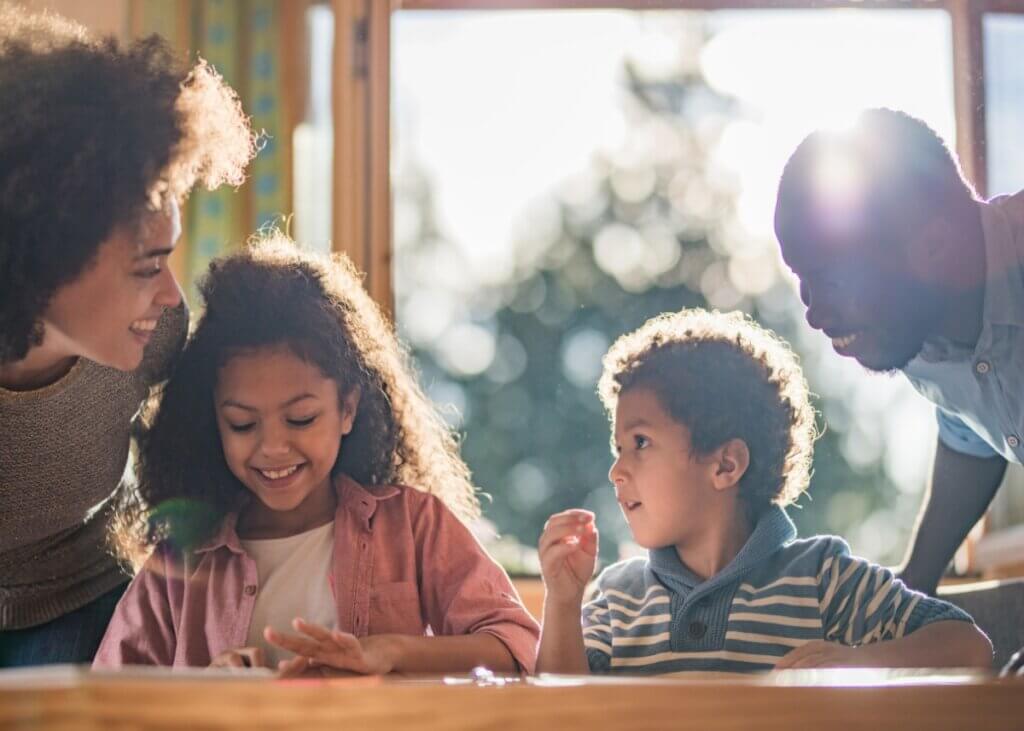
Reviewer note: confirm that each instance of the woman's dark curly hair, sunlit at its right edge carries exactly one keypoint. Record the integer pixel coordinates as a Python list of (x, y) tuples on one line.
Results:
[(95, 134)]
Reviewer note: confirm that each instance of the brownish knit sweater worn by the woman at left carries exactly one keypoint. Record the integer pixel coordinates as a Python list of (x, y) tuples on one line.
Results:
[(64, 450)]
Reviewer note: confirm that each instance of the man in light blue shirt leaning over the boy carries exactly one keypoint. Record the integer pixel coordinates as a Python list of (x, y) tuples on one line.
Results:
[(906, 270)]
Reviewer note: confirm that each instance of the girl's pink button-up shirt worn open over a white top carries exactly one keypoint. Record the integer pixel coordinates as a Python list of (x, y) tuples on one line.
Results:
[(403, 564)]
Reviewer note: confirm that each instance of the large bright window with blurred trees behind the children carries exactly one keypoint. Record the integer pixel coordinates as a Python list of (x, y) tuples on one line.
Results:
[(529, 181)]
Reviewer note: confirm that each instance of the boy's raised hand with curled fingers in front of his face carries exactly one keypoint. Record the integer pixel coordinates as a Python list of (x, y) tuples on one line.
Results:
[(569, 553)]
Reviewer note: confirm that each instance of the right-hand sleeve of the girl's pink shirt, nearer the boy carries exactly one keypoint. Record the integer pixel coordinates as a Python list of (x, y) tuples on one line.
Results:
[(464, 591)]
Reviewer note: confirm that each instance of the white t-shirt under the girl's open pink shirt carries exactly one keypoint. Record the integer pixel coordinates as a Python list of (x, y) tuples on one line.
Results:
[(294, 581)]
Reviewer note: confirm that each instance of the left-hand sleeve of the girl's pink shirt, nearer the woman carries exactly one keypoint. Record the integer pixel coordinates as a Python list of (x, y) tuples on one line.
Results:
[(142, 631)]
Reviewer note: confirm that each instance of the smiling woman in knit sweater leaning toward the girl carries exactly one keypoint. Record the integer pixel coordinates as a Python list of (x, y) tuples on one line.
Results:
[(100, 143)]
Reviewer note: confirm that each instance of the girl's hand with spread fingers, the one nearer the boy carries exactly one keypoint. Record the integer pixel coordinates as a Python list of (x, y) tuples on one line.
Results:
[(319, 647)]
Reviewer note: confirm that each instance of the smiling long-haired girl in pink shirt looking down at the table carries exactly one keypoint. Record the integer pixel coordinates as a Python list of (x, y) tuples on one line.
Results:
[(272, 488)]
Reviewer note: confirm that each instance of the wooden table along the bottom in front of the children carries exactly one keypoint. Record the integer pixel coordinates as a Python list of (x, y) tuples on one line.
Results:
[(875, 701)]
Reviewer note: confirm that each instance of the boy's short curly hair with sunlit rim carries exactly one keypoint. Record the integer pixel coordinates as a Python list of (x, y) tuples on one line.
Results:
[(724, 377)]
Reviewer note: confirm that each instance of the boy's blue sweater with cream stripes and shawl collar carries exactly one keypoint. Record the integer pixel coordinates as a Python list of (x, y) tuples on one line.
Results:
[(653, 616)]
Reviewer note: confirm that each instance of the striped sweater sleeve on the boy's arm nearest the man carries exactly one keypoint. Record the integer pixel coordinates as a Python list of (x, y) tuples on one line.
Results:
[(863, 603)]
